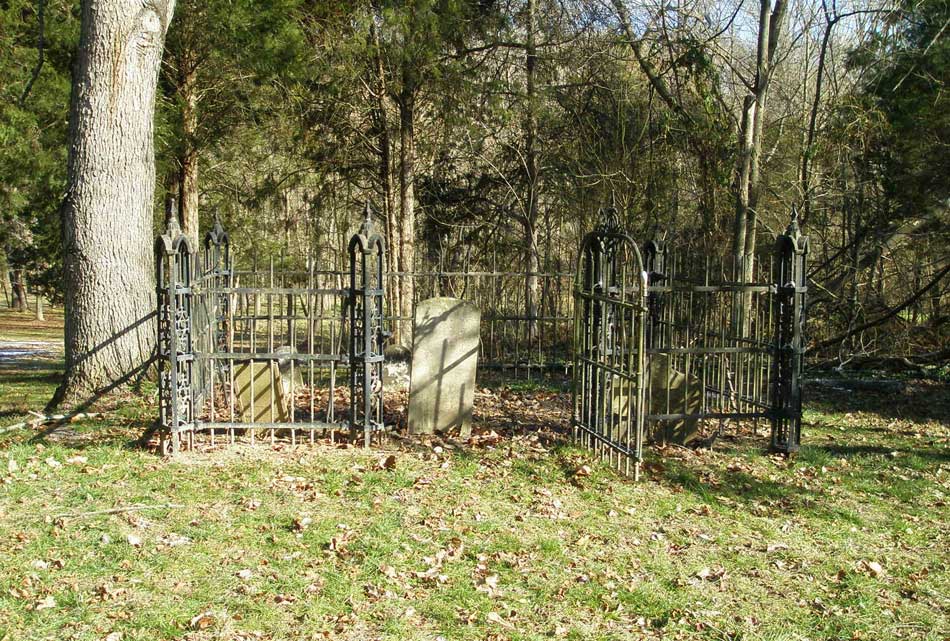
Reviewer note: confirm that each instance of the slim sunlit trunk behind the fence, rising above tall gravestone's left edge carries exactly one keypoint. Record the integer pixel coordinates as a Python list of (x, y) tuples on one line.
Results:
[(407, 233)]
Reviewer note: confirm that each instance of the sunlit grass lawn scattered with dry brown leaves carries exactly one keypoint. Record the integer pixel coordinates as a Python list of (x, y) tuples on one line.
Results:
[(101, 539)]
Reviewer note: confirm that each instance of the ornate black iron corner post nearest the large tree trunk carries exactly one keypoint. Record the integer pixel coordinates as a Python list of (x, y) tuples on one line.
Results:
[(174, 264)]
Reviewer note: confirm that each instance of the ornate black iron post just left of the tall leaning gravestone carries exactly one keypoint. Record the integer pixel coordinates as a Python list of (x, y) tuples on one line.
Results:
[(367, 332)]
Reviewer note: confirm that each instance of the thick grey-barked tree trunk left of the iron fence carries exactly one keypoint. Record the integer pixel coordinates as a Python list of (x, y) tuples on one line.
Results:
[(107, 211)]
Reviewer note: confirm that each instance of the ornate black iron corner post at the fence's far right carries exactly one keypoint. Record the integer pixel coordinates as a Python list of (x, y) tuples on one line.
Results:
[(789, 344)]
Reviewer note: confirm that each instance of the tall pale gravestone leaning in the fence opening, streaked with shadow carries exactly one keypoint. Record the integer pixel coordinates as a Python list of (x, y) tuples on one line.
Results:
[(444, 358)]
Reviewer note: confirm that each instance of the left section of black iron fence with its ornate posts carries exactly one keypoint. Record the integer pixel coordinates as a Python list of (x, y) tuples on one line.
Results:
[(251, 354)]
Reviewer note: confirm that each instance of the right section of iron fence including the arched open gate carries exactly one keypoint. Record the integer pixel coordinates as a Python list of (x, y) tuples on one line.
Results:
[(668, 341)]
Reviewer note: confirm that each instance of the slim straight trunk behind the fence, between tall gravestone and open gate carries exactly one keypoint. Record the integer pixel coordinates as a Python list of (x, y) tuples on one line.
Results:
[(532, 263)]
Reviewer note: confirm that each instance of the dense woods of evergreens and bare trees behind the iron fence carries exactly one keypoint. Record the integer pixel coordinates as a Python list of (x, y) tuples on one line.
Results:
[(488, 134)]
